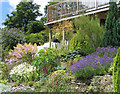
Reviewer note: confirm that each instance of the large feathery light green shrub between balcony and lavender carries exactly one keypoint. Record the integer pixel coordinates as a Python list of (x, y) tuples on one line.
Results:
[(89, 34)]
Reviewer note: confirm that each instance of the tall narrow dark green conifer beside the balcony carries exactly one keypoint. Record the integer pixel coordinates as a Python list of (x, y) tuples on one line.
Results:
[(112, 27)]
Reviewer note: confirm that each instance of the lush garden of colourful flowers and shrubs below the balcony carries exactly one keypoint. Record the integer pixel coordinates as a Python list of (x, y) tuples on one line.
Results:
[(90, 63)]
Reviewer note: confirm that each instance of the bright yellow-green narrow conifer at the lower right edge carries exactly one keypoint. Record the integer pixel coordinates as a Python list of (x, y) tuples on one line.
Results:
[(116, 73)]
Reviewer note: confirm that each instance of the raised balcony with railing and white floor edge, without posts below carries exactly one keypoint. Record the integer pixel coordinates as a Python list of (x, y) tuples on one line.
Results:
[(68, 9)]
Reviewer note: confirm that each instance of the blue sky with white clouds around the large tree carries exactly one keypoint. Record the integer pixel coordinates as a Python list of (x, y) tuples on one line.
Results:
[(7, 6)]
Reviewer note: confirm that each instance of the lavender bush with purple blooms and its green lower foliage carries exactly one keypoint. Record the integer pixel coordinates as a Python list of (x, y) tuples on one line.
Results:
[(94, 64)]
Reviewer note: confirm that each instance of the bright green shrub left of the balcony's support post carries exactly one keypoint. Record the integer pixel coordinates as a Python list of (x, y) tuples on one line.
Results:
[(37, 38)]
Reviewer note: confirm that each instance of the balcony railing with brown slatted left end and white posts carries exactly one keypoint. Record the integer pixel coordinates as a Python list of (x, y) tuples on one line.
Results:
[(68, 8)]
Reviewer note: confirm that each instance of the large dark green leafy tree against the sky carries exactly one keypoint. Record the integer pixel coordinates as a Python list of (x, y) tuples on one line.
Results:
[(25, 11)]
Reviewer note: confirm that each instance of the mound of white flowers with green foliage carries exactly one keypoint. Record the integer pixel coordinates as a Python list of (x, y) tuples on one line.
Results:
[(21, 71)]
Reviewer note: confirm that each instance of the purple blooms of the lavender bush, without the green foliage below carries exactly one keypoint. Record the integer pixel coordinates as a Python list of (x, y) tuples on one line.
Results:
[(102, 56)]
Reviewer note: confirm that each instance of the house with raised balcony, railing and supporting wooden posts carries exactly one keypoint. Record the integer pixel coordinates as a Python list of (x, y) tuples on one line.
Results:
[(69, 9)]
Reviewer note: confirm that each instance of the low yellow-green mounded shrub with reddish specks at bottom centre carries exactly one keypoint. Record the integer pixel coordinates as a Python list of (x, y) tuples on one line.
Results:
[(59, 81)]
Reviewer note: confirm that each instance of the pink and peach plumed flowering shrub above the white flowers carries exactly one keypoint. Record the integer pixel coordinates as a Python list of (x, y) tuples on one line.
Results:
[(23, 53)]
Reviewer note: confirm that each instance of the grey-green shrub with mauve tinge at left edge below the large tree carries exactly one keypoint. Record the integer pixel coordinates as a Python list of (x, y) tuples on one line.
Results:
[(11, 37)]
